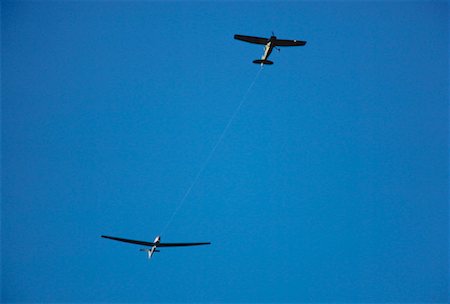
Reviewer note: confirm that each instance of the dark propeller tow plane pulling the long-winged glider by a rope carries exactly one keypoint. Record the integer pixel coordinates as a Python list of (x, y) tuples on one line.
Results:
[(269, 44)]
